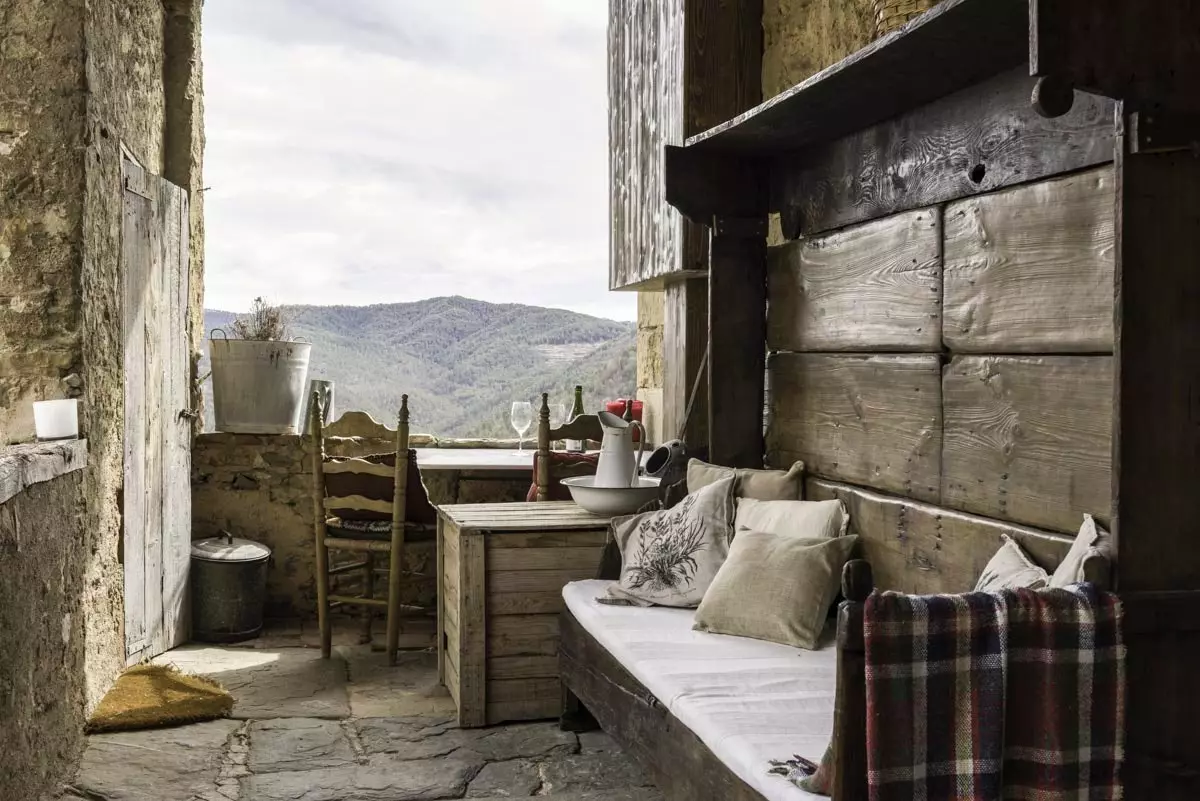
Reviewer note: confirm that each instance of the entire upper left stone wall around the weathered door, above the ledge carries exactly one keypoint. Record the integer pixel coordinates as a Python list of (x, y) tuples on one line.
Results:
[(82, 81)]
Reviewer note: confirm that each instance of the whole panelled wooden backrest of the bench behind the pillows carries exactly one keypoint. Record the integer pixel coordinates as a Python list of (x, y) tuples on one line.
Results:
[(955, 358)]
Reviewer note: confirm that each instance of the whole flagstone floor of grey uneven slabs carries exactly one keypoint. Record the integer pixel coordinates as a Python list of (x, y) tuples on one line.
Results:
[(345, 730)]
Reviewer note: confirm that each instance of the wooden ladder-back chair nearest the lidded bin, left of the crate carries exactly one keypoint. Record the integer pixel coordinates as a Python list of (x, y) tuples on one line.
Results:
[(365, 505)]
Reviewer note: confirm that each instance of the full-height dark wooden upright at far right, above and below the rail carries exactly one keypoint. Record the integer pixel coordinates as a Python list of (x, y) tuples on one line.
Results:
[(1156, 460)]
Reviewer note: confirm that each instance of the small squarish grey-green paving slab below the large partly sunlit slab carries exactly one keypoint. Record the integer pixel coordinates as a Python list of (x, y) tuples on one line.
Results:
[(298, 744)]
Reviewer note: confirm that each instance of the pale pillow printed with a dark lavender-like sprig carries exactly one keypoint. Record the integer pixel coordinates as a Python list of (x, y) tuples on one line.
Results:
[(670, 557)]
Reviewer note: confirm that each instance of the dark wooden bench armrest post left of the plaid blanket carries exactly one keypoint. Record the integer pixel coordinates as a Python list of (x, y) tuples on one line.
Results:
[(850, 703)]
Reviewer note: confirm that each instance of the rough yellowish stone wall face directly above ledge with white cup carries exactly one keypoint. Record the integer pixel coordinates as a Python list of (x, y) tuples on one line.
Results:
[(41, 207)]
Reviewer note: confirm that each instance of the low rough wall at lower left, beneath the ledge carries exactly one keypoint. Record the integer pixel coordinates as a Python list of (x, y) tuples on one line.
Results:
[(44, 553)]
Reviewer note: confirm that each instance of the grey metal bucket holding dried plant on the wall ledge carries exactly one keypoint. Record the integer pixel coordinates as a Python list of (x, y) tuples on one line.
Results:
[(259, 388)]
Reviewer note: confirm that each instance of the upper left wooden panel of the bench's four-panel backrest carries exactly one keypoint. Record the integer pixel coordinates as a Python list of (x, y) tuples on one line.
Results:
[(872, 287)]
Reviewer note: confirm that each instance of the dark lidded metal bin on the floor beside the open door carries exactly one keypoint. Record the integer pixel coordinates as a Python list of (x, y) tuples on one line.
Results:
[(229, 588)]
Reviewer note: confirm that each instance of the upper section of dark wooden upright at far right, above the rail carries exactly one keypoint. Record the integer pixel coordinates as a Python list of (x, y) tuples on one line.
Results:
[(1159, 375)]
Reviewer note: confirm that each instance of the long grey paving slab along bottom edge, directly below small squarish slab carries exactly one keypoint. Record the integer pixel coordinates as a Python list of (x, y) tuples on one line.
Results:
[(383, 779)]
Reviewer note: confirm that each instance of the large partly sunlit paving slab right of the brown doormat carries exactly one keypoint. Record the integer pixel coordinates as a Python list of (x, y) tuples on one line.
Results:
[(289, 683)]
